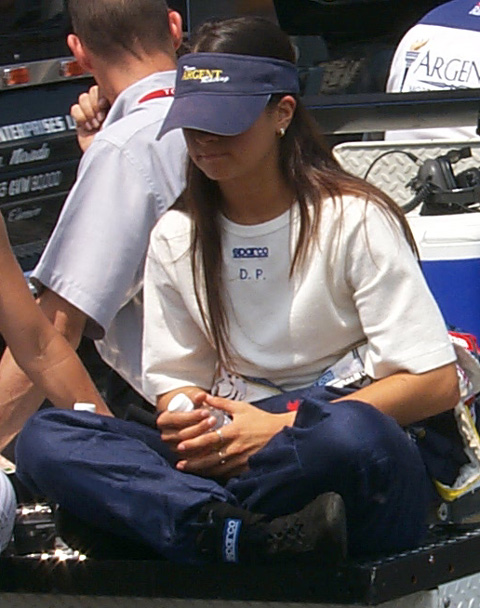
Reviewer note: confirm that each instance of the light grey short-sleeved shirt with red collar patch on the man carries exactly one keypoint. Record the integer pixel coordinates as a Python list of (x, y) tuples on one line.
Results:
[(96, 255)]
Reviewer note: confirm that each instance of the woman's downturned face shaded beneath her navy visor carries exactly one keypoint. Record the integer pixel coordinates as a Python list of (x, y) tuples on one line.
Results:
[(242, 156)]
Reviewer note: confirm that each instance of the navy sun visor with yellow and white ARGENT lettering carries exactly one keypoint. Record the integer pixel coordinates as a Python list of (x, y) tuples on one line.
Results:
[(225, 94)]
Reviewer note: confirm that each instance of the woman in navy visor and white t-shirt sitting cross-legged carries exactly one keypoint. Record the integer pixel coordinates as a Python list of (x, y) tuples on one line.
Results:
[(276, 269)]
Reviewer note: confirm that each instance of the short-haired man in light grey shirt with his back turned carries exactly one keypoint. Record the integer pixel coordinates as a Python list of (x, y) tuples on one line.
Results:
[(91, 272)]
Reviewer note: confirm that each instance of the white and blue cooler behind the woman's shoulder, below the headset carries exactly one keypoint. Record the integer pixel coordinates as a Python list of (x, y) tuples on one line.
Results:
[(449, 247)]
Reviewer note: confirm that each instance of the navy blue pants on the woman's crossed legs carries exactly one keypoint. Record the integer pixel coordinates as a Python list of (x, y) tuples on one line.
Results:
[(120, 476)]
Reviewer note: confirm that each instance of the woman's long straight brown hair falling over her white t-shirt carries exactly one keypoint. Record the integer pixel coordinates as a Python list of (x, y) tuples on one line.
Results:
[(306, 164)]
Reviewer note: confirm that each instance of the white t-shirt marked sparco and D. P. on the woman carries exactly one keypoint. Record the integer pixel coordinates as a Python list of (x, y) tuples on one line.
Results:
[(362, 283)]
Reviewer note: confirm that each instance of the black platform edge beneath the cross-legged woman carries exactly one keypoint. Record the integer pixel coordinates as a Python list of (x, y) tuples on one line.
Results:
[(443, 573)]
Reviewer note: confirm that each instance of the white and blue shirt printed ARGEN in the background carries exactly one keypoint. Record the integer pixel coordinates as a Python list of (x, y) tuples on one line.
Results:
[(440, 52)]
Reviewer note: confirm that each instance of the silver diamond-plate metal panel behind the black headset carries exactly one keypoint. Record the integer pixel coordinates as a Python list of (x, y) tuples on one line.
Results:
[(393, 172)]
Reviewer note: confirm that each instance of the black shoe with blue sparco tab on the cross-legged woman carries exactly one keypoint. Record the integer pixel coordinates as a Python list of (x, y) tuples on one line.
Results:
[(317, 532)]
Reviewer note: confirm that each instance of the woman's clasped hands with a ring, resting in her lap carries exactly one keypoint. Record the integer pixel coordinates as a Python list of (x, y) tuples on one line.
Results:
[(223, 452)]
